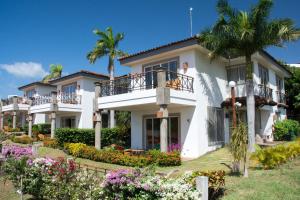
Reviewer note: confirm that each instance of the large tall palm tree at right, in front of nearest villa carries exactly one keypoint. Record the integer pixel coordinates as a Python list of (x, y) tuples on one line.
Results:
[(240, 33)]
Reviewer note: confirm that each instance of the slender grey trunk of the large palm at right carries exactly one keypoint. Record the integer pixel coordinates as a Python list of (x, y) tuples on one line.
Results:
[(250, 110)]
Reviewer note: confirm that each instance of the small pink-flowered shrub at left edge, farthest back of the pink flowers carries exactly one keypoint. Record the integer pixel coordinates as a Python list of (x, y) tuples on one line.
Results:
[(16, 151)]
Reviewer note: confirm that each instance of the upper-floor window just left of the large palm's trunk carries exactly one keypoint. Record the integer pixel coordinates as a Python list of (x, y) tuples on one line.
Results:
[(236, 73)]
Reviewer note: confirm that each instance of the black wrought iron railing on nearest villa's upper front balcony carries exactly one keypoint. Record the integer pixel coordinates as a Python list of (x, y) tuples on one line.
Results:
[(144, 81)]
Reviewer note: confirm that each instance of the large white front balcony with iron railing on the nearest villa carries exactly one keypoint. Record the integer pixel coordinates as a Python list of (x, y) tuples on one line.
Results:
[(138, 91)]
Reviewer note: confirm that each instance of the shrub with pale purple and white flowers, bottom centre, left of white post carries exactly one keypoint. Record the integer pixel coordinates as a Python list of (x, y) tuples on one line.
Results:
[(137, 184)]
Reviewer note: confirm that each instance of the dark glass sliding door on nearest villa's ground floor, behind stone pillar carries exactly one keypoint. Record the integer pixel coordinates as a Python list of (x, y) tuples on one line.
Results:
[(152, 131)]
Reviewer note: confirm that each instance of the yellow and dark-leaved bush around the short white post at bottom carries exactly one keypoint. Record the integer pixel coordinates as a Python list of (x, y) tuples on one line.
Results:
[(216, 182)]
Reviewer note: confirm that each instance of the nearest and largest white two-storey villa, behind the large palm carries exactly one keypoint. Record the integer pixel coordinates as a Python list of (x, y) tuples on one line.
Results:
[(188, 102)]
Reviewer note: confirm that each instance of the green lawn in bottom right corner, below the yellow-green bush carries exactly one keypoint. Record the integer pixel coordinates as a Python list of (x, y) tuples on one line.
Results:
[(276, 184)]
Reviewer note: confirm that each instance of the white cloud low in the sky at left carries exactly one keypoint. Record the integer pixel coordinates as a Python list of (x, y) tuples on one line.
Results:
[(25, 69)]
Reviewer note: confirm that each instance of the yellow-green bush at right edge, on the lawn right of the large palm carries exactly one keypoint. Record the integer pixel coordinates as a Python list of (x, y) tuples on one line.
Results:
[(272, 157)]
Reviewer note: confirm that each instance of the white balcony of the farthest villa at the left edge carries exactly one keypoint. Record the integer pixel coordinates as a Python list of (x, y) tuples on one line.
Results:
[(14, 104)]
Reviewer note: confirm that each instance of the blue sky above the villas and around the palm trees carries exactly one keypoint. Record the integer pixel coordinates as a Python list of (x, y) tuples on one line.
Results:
[(35, 34)]
